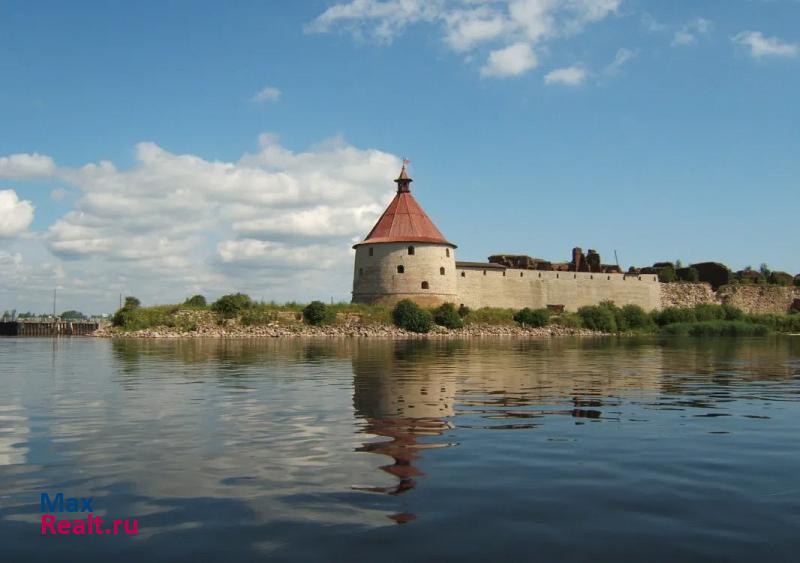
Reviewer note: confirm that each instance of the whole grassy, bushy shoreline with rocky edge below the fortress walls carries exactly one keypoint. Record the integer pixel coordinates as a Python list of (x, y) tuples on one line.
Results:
[(237, 314)]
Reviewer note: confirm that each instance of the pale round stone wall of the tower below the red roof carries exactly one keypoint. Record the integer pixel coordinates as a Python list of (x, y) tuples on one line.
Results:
[(376, 279)]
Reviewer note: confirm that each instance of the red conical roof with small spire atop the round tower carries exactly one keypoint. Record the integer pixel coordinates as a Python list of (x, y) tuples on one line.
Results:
[(404, 220)]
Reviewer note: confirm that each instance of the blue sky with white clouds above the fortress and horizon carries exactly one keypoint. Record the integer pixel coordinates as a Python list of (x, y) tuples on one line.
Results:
[(663, 130)]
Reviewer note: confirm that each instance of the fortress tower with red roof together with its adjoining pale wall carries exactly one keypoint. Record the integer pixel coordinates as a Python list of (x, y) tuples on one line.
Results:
[(405, 256)]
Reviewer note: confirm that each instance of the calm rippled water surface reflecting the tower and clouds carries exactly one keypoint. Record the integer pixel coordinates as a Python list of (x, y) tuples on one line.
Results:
[(562, 450)]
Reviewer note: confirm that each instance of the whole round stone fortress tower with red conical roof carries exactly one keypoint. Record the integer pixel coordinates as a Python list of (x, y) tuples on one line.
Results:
[(405, 256)]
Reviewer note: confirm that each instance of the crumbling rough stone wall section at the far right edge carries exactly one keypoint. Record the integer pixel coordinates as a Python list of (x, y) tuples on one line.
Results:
[(748, 298)]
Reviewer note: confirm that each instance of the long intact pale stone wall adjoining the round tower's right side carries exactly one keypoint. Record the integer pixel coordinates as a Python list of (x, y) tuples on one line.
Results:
[(515, 289)]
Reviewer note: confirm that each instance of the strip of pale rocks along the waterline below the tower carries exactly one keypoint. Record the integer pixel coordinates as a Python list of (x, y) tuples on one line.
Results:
[(344, 331)]
